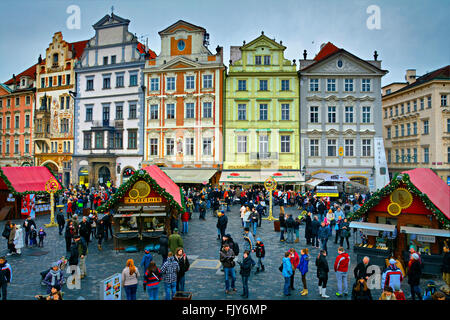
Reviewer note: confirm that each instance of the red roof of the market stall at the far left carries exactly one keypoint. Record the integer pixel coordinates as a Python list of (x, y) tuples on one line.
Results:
[(25, 179)]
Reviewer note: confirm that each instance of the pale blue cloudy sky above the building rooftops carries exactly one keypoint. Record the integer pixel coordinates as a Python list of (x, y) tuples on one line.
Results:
[(408, 34)]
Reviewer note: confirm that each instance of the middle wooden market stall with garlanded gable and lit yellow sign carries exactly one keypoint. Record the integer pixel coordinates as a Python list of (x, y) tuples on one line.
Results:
[(143, 207)]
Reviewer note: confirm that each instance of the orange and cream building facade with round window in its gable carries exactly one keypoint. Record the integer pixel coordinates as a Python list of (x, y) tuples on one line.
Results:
[(184, 105)]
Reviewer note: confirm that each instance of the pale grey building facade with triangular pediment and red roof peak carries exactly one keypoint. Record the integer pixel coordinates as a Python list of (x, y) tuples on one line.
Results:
[(342, 123)]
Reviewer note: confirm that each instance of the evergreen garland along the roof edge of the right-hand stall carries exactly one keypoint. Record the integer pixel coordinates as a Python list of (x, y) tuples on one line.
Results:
[(388, 189)]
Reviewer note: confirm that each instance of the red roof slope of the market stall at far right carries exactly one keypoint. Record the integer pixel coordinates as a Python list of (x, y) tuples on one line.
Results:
[(433, 186)]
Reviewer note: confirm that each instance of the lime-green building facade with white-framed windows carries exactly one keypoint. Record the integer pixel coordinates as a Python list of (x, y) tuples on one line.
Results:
[(262, 120)]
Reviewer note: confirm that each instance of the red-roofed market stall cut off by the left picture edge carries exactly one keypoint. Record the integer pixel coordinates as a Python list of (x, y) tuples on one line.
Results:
[(22, 190)]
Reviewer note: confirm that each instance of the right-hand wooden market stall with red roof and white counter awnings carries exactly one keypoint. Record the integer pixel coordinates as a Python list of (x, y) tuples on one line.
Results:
[(413, 209)]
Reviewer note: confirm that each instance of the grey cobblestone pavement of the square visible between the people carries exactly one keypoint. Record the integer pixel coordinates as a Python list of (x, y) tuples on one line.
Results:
[(204, 279)]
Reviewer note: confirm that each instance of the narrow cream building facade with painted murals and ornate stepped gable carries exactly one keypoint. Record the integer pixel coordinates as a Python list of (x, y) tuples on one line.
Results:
[(55, 86)]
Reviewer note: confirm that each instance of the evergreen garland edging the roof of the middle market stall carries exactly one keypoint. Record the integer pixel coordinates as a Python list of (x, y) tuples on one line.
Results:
[(140, 174)]
